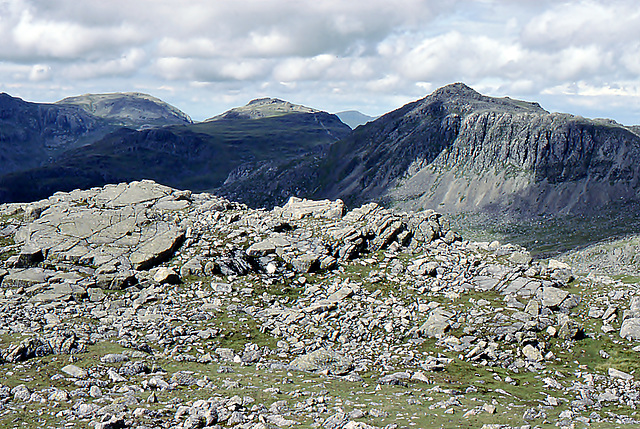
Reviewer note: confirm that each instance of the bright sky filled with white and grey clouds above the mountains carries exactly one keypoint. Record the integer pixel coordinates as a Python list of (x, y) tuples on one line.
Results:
[(207, 56)]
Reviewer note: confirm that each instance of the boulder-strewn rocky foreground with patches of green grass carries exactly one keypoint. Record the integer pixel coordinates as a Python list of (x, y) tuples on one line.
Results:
[(138, 305)]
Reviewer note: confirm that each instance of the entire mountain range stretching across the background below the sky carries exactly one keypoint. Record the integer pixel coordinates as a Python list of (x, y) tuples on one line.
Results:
[(455, 150)]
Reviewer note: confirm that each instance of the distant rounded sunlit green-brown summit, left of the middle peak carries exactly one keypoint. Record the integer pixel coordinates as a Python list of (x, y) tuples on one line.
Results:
[(131, 109)]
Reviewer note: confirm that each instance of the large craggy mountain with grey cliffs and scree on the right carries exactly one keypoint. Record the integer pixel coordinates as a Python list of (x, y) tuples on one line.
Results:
[(460, 151)]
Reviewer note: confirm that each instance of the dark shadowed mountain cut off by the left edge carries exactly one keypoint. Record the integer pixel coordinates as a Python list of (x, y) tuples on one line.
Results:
[(33, 133)]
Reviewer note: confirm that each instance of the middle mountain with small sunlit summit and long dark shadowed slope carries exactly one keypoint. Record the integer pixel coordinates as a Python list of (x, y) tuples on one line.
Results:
[(201, 156)]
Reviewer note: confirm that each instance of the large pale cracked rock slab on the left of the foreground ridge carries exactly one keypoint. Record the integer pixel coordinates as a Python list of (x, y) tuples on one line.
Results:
[(112, 225)]
